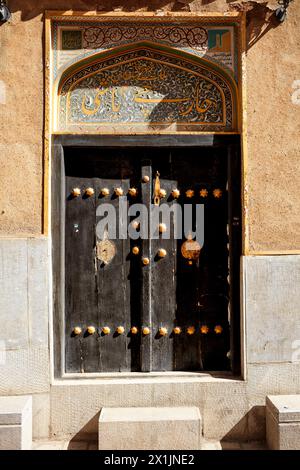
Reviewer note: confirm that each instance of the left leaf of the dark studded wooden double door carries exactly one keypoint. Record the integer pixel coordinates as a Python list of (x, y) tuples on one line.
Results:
[(98, 294)]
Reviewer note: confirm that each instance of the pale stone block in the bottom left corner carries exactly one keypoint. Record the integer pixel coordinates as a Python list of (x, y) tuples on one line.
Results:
[(15, 423)]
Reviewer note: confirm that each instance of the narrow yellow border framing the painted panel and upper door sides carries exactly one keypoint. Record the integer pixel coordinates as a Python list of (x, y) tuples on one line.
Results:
[(196, 18)]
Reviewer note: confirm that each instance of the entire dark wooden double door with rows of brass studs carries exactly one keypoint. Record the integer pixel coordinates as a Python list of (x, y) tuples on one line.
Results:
[(146, 304)]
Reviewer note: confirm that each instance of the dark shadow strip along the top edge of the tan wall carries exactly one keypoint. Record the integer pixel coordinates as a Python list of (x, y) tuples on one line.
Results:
[(260, 18)]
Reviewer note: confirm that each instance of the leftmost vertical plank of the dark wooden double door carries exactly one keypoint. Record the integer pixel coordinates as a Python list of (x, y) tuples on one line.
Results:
[(80, 291)]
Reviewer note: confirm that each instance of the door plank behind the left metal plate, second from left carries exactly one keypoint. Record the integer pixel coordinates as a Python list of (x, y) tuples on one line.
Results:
[(113, 286)]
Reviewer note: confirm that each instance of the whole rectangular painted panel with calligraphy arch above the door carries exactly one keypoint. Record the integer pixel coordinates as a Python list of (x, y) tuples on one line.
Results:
[(139, 76)]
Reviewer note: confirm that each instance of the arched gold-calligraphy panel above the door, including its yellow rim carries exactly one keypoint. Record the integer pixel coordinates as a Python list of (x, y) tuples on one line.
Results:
[(145, 87)]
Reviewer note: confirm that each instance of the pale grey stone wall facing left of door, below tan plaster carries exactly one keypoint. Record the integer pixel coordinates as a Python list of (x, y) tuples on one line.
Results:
[(24, 312)]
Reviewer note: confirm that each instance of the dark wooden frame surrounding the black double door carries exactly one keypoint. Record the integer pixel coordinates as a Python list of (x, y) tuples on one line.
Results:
[(59, 142)]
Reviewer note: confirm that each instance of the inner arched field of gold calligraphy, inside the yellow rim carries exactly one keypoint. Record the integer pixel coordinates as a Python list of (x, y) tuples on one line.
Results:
[(147, 88)]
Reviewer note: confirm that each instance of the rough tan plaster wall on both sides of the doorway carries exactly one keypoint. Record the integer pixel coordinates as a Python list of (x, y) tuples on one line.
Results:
[(273, 115)]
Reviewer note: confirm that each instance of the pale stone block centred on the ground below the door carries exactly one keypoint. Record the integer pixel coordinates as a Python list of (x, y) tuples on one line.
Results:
[(157, 428)]
